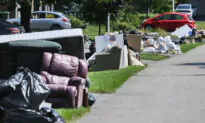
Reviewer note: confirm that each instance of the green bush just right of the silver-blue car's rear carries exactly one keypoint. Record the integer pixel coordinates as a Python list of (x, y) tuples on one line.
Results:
[(75, 22)]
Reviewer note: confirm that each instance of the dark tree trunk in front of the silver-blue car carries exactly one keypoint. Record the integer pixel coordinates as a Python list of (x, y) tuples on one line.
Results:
[(25, 15)]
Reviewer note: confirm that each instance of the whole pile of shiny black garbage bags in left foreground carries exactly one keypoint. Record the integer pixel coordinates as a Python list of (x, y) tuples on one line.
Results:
[(20, 98)]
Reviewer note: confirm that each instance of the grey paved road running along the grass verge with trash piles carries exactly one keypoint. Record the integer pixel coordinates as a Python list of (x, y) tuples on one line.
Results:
[(169, 91)]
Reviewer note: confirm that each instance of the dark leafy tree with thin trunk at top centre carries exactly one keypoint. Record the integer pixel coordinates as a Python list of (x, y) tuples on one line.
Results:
[(97, 10)]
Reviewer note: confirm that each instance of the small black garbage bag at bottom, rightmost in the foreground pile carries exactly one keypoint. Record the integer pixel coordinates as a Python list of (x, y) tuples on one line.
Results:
[(51, 115)]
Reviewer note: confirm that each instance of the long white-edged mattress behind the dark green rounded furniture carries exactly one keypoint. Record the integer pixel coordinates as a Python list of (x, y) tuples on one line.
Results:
[(71, 40)]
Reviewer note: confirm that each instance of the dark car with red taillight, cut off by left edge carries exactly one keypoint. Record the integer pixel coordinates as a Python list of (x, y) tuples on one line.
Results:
[(8, 28)]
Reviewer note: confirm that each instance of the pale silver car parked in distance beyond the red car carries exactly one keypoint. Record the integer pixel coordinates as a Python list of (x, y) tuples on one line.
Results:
[(187, 9)]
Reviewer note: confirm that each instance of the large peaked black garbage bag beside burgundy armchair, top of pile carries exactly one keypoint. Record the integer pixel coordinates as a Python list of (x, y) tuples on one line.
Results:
[(24, 89)]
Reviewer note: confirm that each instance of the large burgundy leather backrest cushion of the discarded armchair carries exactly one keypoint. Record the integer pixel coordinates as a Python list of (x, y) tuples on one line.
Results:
[(64, 65)]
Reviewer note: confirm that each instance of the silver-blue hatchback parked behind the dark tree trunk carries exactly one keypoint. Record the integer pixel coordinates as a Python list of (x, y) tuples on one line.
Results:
[(46, 20)]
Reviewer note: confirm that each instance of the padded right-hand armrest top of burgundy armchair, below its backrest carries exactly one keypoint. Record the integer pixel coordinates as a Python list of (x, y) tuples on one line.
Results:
[(76, 81)]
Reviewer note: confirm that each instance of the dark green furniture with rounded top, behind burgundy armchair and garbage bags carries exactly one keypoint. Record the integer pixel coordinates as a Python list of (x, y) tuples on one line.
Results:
[(27, 53)]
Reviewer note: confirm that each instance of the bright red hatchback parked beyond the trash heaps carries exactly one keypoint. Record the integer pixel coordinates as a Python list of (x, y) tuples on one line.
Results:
[(169, 21)]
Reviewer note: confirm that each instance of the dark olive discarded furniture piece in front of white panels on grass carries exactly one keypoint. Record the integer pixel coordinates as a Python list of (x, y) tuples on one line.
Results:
[(107, 61)]
